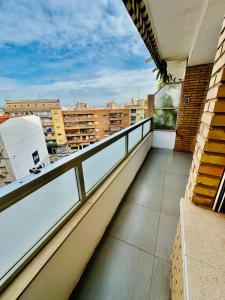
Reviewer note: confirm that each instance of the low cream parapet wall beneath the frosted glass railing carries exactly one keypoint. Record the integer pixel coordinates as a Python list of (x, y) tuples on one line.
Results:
[(62, 269)]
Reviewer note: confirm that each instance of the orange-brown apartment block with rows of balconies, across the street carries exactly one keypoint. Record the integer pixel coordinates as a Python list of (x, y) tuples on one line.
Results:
[(88, 125)]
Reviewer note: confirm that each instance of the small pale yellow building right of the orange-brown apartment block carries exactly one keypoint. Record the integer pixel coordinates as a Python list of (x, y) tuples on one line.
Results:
[(138, 109)]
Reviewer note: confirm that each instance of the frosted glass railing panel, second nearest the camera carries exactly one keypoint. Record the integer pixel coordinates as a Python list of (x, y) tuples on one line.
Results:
[(98, 165)]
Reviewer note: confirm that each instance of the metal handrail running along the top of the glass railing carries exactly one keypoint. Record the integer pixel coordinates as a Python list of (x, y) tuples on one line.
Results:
[(19, 189)]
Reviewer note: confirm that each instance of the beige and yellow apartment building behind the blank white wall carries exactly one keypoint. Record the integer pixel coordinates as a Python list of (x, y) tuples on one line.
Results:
[(49, 110)]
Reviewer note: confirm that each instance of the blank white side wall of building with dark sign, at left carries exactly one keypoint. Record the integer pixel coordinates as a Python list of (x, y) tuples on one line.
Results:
[(22, 136)]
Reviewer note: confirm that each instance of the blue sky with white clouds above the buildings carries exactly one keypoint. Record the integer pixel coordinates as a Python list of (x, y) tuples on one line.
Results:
[(72, 50)]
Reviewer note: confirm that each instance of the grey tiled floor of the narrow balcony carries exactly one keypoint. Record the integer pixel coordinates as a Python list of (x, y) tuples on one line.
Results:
[(132, 261)]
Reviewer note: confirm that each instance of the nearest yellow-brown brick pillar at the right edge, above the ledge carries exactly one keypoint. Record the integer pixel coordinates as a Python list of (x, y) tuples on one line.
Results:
[(209, 154)]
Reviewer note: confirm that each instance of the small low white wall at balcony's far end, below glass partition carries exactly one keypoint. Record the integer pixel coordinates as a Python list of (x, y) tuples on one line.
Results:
[(164, 139)]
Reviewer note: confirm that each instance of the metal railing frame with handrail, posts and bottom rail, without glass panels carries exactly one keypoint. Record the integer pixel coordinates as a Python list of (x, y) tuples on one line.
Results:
[(18, 190)]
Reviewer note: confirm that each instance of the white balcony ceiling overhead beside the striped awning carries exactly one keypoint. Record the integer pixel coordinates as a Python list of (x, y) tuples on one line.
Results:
[(187, 29)]
